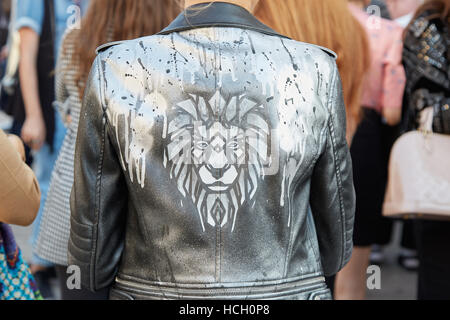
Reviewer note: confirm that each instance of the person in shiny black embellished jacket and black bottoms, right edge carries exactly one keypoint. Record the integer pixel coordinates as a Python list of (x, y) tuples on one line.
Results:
[(426, 58)]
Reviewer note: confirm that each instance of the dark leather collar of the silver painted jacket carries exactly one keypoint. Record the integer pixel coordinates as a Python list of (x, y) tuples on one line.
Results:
[(217, 14)]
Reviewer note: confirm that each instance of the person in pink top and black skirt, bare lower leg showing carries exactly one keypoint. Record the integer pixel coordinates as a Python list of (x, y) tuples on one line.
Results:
[(381, 102)]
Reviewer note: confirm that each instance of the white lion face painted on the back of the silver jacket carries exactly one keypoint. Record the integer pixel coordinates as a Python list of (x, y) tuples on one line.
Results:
[(216, 151)]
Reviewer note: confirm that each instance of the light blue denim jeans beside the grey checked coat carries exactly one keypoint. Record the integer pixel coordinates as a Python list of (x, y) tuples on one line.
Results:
[(44, 161)]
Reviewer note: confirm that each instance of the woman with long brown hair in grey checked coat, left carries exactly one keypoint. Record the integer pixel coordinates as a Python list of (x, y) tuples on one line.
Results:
[(105, 21)]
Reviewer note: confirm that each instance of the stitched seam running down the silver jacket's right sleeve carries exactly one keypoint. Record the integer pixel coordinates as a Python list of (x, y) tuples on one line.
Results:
[(338, 171)]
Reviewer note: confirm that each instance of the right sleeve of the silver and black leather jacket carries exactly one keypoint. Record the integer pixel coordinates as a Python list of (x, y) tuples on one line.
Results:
[(332, 193)]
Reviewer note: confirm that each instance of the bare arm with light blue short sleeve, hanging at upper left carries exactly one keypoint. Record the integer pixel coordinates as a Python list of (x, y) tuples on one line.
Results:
[(29, 19)]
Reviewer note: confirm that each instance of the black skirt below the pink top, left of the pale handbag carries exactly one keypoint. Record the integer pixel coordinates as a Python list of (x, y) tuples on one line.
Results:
[(370, 151)]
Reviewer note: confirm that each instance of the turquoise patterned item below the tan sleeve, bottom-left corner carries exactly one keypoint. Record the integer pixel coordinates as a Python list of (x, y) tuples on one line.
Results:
[(16, 280)]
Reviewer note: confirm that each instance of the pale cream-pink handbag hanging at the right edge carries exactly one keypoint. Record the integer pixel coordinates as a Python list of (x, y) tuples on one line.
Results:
[(419, 174)]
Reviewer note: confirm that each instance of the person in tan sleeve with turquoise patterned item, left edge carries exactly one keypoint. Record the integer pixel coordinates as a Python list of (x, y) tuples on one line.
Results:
[(19, 204)]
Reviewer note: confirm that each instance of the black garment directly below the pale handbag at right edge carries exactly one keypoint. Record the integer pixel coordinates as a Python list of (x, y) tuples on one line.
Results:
[(433, 244)]
